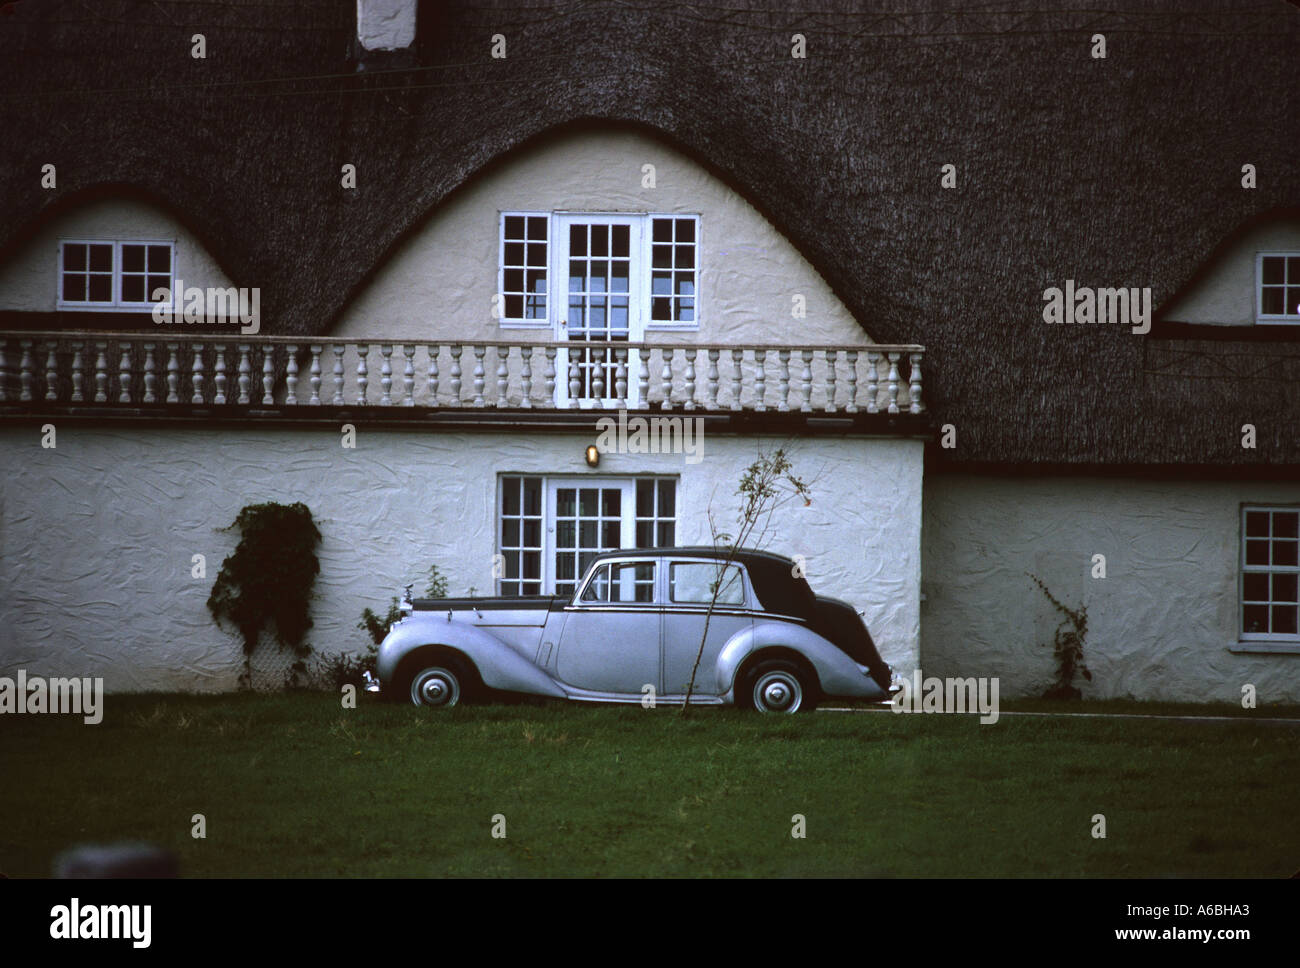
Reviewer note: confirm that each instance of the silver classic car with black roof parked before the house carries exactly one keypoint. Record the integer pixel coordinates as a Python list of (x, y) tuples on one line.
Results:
[(632, 632)]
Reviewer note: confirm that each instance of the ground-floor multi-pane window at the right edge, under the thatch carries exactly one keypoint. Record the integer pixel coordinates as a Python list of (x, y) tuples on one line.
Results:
[(1271, 570)]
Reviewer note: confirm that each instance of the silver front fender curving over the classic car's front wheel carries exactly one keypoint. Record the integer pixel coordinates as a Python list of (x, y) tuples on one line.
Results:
[(500, 666)]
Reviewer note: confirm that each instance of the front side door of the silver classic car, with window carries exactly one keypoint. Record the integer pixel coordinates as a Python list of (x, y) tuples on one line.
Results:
[(610, 643)]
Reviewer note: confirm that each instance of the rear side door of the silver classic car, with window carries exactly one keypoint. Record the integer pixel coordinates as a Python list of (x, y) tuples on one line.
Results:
[(688, 589)]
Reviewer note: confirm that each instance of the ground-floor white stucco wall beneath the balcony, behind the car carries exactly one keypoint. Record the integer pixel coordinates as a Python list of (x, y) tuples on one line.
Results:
[(97, 535)]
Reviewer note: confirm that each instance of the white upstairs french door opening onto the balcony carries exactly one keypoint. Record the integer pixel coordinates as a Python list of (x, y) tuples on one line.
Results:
[(599, 259)]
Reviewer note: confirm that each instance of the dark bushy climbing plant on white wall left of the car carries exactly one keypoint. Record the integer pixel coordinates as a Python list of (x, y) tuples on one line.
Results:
[(268, 580)]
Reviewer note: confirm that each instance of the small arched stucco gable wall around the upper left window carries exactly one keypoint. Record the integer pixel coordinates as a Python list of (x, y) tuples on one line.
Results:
[(29, 283)]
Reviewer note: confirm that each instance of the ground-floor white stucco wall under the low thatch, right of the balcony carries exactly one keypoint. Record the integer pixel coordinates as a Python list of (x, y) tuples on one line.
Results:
[(1160, 624)]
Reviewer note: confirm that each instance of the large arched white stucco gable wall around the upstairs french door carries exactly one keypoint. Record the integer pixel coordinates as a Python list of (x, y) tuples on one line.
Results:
[(441, 281)]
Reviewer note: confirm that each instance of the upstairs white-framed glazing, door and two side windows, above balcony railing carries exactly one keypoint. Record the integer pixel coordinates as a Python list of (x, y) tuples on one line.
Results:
[(584, 272)]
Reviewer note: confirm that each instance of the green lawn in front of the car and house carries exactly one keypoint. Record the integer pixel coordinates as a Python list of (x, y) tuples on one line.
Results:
[(297, 785)]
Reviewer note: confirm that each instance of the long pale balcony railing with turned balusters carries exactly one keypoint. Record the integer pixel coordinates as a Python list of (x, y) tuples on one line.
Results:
[(98, 371)]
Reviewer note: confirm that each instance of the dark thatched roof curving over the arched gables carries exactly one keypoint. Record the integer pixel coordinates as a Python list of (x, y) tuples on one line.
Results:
[(1117, 172)]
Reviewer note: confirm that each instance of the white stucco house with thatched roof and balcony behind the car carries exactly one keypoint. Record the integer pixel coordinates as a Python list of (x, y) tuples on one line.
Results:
[(414, 272)]
